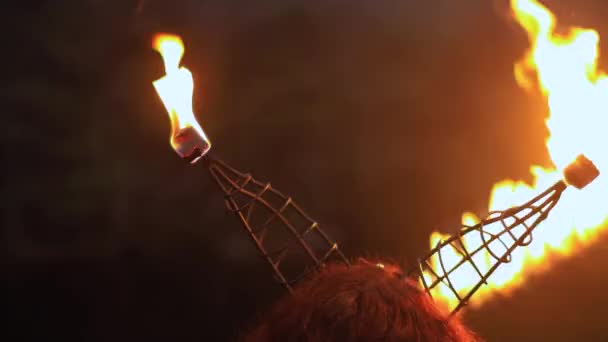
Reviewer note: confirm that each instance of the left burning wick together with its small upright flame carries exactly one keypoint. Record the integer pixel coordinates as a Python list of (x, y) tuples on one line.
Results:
[(175, 90)]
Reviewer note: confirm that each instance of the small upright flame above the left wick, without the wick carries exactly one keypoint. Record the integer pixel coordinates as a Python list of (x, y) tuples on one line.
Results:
[(176, 88)]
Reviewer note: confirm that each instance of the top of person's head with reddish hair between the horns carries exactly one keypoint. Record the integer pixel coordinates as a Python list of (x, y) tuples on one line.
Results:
[(363, 302)]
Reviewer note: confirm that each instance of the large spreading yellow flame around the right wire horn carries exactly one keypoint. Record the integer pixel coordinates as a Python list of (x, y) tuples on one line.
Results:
[(563, 67)]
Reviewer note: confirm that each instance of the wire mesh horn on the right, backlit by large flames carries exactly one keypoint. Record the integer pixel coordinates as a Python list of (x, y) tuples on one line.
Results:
[(483, 247)]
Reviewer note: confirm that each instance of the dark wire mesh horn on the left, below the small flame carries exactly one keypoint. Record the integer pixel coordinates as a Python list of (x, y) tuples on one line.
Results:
[(289, 240)]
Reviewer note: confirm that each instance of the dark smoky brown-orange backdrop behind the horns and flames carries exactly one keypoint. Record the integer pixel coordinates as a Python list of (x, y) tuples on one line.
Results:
[(384, 119)]
